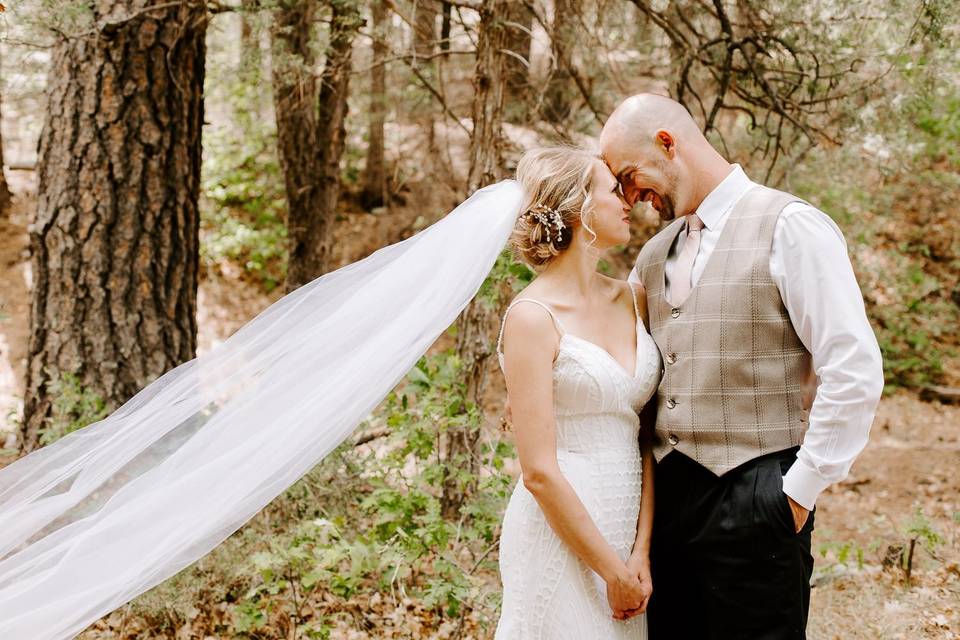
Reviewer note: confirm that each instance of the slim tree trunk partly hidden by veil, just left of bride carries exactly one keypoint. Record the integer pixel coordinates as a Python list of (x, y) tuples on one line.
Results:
[(478, 321)]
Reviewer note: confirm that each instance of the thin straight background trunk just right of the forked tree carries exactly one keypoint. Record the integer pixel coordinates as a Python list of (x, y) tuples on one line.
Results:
[(375, 175)]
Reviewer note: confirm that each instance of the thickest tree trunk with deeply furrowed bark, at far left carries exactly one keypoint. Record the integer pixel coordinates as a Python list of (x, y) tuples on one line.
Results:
[(115, 243)]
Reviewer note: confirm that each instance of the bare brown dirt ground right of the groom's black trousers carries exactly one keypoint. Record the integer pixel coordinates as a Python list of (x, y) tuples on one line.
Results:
[(910, 462)]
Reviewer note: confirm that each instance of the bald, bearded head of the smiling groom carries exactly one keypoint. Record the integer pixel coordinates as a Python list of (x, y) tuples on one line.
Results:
[(652, 145)]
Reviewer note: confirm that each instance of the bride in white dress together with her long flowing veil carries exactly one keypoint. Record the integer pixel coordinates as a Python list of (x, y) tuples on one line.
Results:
[(103, 514)]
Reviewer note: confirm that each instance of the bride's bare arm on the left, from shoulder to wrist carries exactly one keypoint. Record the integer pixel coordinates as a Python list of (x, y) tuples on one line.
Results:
[(530, 344)]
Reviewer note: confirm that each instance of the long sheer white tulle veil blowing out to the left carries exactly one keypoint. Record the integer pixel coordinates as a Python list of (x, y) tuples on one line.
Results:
[(109, 511)]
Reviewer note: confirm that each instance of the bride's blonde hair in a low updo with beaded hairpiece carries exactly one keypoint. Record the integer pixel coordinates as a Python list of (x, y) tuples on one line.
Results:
[(557, 183)]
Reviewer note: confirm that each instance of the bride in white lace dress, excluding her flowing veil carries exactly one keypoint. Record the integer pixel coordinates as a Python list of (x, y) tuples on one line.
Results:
[(579, 367)]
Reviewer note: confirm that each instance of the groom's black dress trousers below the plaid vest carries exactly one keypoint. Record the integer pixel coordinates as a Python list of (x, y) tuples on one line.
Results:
[(726, 561)]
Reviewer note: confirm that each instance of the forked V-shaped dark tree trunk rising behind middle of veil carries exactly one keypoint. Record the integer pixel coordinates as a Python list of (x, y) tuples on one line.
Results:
[(310, 130)]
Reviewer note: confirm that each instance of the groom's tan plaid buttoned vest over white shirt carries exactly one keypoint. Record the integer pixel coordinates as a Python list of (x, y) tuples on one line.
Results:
[(734, 369)]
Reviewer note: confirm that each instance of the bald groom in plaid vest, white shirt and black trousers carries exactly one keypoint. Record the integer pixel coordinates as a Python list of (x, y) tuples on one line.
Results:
[(771, 378)]
